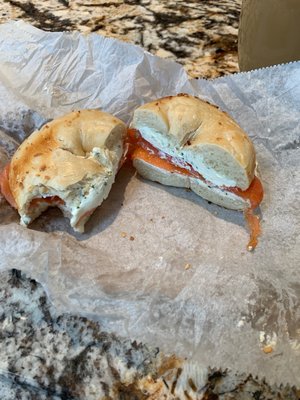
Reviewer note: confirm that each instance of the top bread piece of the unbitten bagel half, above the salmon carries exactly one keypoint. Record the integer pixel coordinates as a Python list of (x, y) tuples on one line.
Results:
[(202, 135)]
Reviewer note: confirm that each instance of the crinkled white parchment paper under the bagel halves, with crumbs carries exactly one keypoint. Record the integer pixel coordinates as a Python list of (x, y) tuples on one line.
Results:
[(160, 264)]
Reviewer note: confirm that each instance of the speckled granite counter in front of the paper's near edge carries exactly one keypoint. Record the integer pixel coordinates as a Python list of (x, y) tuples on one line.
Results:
[(45, 356)]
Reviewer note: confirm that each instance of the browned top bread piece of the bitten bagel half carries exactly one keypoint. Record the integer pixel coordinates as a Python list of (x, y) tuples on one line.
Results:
[(64, 152)]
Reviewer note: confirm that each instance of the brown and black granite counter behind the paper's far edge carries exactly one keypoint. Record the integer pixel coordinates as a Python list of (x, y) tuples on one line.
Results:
[(200, 34)]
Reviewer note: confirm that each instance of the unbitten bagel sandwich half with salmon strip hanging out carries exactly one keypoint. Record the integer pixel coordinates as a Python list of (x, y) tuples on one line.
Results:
[(186, 142)]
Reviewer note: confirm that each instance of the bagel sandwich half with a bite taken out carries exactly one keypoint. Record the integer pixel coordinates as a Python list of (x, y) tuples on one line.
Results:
[(71, 163)]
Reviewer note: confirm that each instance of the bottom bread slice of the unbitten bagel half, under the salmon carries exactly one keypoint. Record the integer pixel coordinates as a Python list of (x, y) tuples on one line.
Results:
[(210, 193)]
